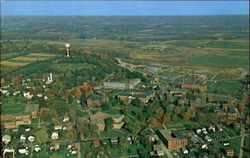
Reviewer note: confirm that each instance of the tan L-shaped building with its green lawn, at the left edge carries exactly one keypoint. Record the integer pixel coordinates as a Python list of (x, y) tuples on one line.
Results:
[(15, 114)]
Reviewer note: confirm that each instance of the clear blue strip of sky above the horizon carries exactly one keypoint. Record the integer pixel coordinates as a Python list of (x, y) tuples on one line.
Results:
[(113, 8)]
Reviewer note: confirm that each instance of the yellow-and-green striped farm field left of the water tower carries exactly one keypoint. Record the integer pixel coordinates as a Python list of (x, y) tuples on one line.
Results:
[(26, 59)]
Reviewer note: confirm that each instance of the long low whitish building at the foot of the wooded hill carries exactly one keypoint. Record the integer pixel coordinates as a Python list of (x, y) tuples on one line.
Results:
[(131, 84)]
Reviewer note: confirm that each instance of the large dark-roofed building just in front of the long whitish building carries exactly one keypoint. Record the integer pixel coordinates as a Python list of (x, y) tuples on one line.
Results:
[(143, 95)]
